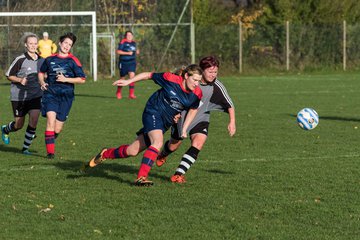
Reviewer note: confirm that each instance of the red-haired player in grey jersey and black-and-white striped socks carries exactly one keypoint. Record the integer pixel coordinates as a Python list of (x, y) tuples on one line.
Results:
[(215, 97)]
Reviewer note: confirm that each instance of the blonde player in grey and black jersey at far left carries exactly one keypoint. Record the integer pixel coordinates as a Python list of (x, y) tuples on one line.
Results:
[(25, 92)]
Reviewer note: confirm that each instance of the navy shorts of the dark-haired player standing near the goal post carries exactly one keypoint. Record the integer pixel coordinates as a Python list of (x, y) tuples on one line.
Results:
[(60, 104)]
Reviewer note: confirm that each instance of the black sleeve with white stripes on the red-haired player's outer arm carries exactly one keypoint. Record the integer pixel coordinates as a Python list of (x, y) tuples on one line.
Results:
[(220, 99)]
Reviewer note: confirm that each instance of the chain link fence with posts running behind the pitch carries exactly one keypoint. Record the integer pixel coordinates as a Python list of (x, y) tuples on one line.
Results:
[(260, 49)]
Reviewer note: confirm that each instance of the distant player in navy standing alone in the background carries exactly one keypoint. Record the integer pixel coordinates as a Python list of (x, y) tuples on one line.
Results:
[(127, 51)]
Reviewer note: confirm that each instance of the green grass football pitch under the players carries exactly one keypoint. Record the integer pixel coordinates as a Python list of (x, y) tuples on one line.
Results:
[(271, 181)]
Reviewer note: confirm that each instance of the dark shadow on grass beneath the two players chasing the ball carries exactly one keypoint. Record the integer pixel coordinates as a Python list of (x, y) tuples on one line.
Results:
[(102, 171)]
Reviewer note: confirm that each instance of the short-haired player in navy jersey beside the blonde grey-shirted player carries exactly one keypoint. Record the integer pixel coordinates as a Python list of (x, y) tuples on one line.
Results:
[(62, 70)]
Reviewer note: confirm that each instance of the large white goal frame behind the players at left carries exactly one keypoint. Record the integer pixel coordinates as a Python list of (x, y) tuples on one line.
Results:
[(78, 13)]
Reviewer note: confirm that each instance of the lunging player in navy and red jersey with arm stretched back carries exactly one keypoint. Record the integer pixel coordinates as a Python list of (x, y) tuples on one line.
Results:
[(177, 93)]
